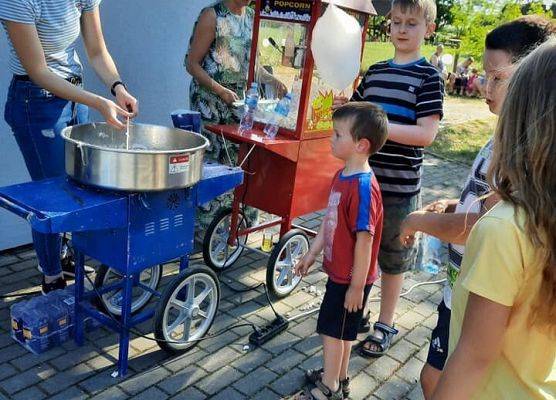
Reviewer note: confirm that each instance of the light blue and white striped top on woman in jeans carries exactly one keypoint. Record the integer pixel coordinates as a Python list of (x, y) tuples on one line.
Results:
[(58, 27)]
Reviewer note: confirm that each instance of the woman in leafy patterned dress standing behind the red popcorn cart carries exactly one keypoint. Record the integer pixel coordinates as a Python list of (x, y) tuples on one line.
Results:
[(218, 61)]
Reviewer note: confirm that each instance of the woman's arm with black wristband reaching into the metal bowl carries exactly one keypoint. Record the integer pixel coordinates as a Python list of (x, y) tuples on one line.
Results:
[(101, 60)]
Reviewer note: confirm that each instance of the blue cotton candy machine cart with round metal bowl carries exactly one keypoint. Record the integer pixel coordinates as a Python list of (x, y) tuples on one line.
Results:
[(132, 231)]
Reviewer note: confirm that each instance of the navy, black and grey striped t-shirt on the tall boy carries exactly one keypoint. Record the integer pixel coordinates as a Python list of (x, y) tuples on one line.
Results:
[(406, 92)]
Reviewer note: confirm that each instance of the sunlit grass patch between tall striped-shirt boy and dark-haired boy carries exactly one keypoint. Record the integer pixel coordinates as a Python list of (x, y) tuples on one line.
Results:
[(462, 142)]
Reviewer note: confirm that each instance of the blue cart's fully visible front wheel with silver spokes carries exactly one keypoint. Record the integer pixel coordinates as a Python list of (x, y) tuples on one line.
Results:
[(187, 309)]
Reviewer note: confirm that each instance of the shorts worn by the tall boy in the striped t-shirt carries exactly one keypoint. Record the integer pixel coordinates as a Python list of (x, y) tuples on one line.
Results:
[(393, 257)]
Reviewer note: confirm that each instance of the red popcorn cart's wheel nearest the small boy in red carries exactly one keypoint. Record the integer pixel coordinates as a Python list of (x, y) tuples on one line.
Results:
[(280, 278)]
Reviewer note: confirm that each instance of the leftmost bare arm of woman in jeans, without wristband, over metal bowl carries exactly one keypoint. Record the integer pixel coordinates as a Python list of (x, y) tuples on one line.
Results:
[(28, 47)]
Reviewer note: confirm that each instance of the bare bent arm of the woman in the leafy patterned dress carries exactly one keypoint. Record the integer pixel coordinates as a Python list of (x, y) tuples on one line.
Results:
[(203, 36)]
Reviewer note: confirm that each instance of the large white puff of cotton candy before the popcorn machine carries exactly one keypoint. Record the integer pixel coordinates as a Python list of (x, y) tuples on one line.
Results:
[(336, 47)]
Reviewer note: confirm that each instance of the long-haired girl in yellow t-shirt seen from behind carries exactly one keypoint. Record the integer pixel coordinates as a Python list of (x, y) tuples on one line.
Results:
[(503, 325)]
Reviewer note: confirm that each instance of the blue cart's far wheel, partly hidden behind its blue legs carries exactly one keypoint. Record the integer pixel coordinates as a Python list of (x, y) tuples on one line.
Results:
[(112, 301)]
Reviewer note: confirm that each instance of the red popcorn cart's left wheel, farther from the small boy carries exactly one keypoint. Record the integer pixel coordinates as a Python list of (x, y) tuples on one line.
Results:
[(216, 251)]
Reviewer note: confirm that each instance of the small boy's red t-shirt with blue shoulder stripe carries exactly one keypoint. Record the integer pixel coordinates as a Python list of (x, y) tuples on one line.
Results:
[(354, 205)]
